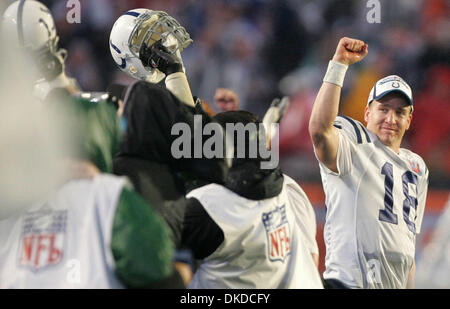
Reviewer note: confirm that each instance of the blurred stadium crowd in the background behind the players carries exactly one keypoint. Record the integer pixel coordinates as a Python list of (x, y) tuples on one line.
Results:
[(267, 48)]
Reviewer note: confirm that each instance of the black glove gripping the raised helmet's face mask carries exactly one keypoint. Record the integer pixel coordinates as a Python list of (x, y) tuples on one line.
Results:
[(157, 56)]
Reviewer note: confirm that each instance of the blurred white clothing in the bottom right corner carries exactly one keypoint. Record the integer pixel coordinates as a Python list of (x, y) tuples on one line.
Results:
[(433, 269)]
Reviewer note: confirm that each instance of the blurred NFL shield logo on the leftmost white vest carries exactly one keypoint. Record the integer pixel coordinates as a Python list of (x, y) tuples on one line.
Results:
[(42, 238)]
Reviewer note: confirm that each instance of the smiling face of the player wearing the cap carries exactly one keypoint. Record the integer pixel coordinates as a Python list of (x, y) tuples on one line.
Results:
[(389, 118)]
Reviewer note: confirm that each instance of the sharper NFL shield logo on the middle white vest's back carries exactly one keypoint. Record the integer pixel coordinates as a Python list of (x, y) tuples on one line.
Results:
[(278, 234)]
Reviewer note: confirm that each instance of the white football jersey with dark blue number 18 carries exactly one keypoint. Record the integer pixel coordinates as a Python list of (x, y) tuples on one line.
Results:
[(375, 206)]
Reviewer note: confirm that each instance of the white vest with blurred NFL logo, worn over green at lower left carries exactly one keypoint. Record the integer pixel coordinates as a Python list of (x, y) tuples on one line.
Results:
[(64, 242)]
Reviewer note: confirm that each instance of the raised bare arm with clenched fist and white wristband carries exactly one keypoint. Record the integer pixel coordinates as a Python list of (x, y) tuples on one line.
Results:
[(323, 134)]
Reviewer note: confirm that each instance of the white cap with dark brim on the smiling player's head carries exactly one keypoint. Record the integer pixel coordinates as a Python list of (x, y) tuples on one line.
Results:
[(390, 84)]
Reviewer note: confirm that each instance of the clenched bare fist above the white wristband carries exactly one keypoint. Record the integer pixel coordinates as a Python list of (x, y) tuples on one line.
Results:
[(350, 51)]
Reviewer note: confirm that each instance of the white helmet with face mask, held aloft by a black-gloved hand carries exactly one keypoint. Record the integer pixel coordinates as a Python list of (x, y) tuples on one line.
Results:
[(143, 26)]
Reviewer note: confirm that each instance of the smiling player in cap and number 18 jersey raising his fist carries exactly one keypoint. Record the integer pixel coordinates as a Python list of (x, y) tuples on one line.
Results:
[(375, 190)]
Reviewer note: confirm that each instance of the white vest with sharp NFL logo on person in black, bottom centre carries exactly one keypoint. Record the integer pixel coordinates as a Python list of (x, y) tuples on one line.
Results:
[(263, 245)]
